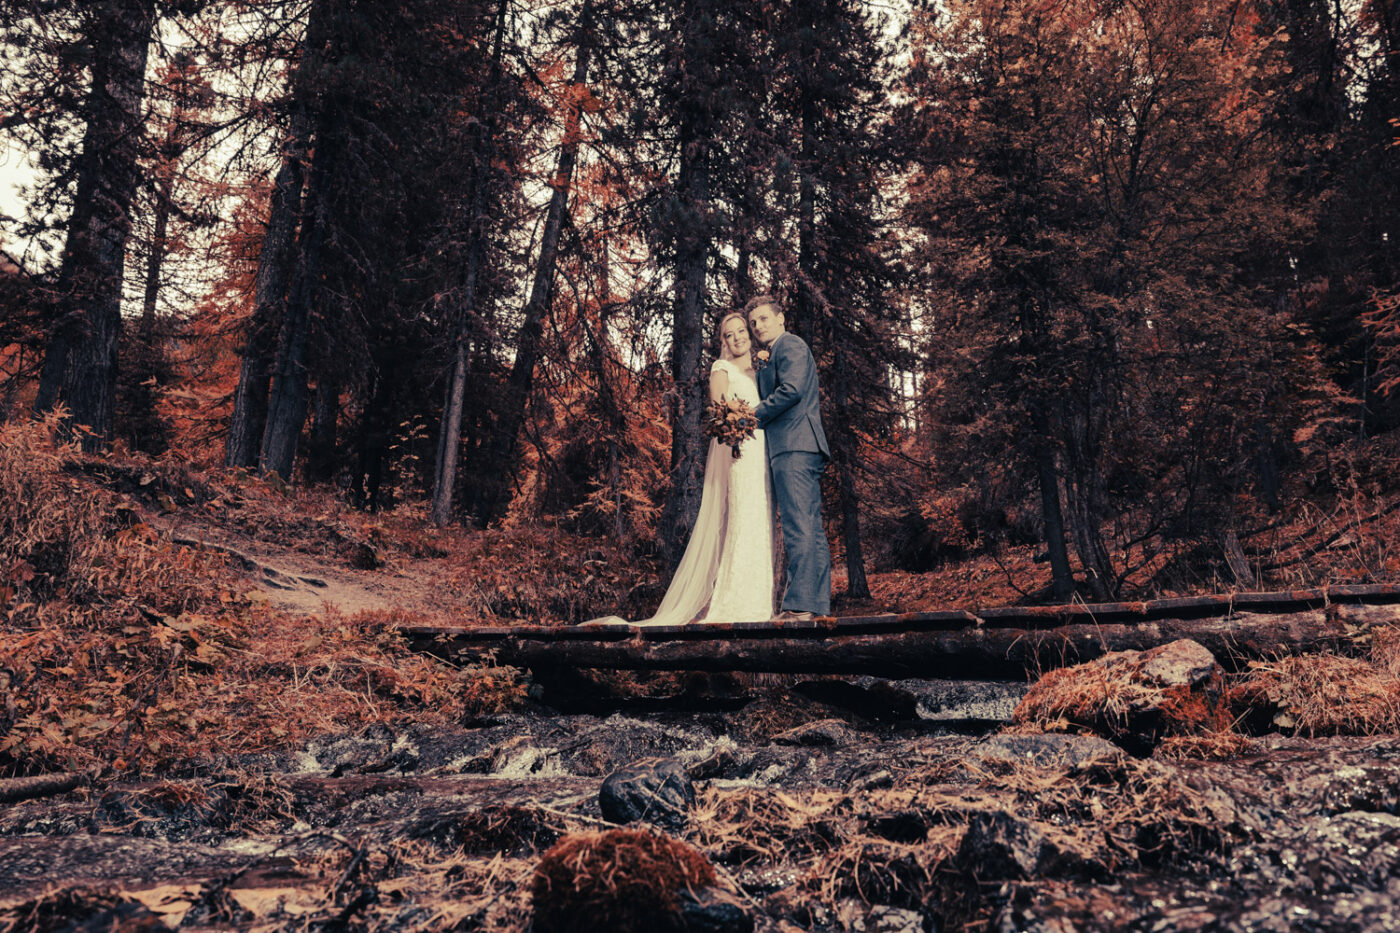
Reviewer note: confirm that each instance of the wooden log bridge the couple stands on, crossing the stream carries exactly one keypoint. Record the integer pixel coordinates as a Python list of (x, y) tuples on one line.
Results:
[(997, 644)]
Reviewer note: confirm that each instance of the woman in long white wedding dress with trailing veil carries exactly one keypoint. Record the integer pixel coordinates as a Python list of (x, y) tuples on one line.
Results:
[(727, 571)]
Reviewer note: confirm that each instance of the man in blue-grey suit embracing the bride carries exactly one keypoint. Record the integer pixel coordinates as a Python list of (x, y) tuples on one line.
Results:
[(792, 421)]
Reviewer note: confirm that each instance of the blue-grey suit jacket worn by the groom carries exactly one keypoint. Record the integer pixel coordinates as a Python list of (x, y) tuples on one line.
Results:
[(792, 410)]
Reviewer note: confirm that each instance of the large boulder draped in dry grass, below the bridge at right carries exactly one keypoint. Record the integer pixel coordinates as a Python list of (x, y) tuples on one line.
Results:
[(1133, 698)]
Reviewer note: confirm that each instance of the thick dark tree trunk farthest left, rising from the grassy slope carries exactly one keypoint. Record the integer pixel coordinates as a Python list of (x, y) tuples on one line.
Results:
[(80, 362)]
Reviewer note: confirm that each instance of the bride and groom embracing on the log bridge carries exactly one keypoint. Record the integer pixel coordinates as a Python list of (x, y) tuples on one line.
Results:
[(727, 574)]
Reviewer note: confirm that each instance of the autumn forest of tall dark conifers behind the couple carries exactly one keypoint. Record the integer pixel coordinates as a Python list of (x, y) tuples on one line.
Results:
[(1109, 281)]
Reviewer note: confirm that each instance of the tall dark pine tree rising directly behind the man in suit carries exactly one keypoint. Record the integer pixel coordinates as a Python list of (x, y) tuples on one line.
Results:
[(831, 102)]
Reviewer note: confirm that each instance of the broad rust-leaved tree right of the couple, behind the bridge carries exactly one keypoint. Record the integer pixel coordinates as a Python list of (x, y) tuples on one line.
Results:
[(1090, 179)]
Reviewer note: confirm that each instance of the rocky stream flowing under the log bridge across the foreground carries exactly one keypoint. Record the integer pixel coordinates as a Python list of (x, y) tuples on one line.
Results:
[(835, 805)]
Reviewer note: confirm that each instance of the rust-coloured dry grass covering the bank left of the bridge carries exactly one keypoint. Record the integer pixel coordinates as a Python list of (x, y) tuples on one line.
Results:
[(125, 655)]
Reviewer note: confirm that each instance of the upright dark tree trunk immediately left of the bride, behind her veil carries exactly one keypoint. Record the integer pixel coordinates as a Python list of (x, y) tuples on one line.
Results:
[(687, 343)]
